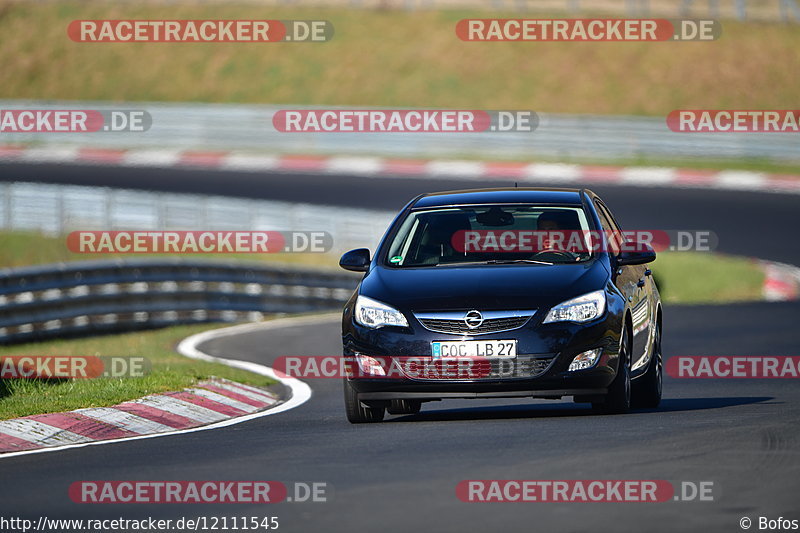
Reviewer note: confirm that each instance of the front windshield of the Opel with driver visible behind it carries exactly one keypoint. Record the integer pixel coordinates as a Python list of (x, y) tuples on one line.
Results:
[(491, 234)]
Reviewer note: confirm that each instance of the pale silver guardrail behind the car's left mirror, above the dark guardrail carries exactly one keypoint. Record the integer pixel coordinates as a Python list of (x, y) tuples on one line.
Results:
[(58, 209)]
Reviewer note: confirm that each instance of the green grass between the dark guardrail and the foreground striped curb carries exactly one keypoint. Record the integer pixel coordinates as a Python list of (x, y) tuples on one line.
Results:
[(170, 371)]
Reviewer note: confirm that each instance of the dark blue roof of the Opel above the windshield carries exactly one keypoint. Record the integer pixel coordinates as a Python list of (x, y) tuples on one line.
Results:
[(505, 195)]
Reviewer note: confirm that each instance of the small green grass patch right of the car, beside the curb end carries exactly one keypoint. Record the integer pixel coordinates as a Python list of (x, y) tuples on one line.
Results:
[(695, 278)]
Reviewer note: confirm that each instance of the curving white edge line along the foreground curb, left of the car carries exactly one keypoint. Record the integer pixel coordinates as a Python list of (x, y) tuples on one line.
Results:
[(301, 392)]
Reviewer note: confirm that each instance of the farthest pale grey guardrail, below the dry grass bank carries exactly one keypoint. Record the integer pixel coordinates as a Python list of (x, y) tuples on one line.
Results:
[(248, 128)]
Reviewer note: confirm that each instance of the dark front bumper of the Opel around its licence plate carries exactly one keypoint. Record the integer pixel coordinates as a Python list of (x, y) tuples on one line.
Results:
[(555, 345)]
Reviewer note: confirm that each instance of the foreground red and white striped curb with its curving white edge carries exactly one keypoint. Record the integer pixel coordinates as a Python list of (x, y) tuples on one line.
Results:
[(210, 405)]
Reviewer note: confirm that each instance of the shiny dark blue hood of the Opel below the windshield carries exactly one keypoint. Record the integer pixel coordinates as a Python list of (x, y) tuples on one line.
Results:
[(483, 287)]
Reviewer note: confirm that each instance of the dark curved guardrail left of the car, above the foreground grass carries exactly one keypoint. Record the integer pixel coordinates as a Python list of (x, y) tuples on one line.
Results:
[(104, 296)]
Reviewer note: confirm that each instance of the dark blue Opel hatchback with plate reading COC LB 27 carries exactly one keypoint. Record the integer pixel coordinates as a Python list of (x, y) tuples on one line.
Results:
[(499, 293)]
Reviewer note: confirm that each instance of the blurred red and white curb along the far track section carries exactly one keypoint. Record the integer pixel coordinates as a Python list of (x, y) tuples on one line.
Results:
[(539, 173)]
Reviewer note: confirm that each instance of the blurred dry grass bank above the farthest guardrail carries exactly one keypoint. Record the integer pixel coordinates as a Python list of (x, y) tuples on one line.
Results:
[(392, 58)]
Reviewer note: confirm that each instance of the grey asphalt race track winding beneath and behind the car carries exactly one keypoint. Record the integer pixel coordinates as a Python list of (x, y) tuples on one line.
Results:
[(742, 435)]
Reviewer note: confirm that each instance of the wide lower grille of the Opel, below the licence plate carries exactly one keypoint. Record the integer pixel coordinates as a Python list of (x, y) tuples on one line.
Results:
[(484, 369)]
